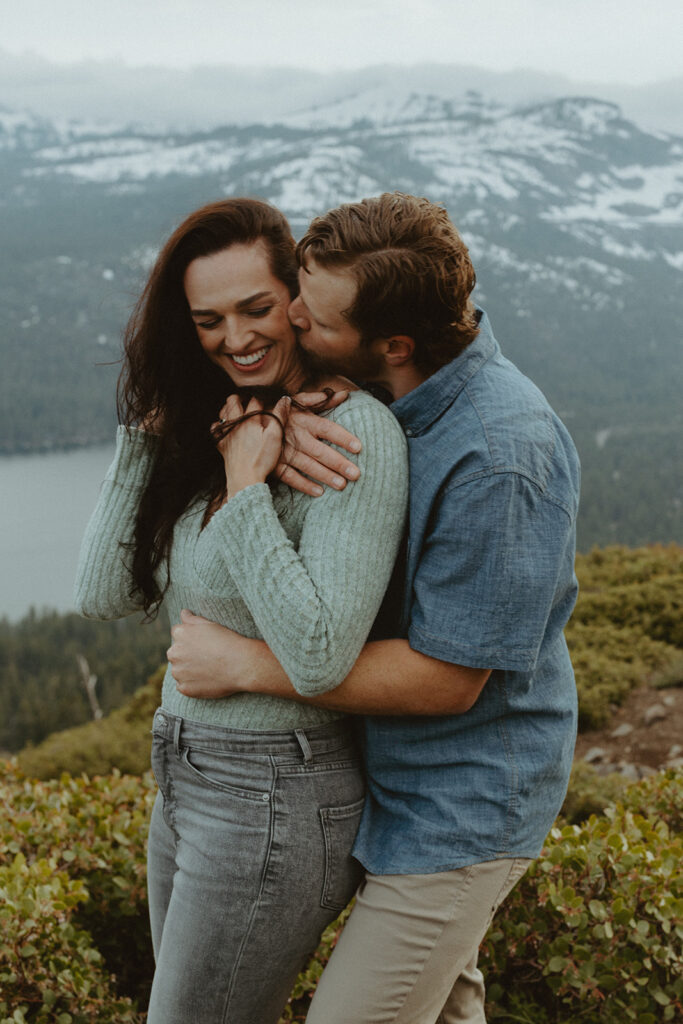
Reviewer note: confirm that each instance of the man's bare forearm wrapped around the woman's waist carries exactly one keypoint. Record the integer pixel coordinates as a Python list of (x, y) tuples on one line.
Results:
[(390, 678)]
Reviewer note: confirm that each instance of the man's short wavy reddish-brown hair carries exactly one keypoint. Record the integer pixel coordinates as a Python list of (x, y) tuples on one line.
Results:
[(412, 269)]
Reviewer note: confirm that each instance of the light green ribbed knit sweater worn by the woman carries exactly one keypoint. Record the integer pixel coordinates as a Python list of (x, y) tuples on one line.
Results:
[(306, 575)]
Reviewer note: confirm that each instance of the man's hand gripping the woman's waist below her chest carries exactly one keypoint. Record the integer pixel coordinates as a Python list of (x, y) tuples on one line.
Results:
[(201, 654)]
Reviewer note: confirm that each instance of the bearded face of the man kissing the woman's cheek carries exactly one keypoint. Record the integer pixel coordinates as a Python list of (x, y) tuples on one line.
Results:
[(325, 333)]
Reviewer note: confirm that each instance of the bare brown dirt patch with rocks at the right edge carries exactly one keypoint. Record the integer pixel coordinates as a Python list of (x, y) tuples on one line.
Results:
[(655, 740)]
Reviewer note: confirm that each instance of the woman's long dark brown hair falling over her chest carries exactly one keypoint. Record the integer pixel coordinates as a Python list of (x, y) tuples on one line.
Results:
[(168, 379)]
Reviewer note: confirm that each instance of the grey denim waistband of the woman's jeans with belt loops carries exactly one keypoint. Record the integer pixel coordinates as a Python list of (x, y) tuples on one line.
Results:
[(311, 741)]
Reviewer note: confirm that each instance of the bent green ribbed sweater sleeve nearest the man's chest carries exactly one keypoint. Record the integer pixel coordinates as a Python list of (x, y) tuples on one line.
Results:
[(315, 607)]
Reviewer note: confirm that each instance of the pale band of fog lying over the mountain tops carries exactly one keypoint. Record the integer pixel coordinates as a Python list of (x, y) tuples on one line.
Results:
[(208, 97)]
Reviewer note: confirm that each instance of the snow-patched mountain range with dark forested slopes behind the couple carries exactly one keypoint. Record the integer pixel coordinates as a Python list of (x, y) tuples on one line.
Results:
[(573, 214)]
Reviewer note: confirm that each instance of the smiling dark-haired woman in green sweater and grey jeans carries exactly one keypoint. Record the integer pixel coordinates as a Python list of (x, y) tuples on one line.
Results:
[(249, 854)]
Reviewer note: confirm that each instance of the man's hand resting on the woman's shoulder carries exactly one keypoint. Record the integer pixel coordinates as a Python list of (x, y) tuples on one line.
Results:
[(307, 453)]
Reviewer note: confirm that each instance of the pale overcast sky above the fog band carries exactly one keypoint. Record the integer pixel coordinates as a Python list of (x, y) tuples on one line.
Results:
[(627, 41)]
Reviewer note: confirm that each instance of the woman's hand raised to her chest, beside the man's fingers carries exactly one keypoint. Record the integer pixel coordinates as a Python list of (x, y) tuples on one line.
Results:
[(252, 449)]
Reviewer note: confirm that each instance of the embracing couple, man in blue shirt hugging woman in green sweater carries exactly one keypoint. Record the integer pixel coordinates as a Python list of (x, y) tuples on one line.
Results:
[(298, 763)]
